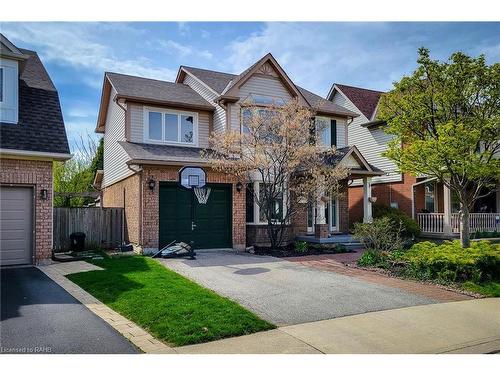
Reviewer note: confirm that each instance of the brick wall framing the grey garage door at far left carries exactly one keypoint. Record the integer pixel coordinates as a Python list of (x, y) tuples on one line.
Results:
[(38, 174)]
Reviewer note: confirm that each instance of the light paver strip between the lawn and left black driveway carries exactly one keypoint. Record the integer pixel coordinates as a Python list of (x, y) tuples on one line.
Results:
[(135, 334)]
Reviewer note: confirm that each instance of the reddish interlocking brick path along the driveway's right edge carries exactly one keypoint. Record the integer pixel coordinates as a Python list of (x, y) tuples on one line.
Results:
[(333, 263)]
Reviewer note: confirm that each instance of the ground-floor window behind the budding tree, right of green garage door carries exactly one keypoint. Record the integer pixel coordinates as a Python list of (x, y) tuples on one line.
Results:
[(254, 214)]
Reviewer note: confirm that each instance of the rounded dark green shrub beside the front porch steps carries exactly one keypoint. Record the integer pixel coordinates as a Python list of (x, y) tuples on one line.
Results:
[(381, 235)]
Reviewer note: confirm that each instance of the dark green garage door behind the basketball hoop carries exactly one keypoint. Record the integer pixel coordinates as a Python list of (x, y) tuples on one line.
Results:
[(182, 218)]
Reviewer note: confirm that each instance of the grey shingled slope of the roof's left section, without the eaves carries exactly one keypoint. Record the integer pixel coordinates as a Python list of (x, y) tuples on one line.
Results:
[(156, 91)]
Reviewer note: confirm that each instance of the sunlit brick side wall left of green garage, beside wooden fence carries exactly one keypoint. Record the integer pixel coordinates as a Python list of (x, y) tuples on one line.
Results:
[(126, 194)]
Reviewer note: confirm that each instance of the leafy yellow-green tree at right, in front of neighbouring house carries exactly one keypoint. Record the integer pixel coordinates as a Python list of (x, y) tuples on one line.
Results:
[(446, 121)]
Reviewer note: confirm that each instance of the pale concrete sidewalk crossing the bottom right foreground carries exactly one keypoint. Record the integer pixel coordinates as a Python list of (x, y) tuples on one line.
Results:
[(471, 326)]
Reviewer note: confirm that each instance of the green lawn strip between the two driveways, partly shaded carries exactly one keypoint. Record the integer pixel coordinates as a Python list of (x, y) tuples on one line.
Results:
[(169, 306)]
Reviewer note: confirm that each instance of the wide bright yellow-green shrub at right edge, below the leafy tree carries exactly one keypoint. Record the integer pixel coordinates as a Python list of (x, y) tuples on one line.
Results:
[(450, 262)]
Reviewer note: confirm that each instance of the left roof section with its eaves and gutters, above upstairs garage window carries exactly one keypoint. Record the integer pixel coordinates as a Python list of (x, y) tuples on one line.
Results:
[(149, 91)]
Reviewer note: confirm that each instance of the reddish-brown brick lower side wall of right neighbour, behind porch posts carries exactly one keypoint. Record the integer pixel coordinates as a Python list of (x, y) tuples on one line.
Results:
[(399, 192)]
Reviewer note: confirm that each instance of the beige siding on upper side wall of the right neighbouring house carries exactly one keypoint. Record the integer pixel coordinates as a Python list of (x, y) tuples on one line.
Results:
[(370, 142)]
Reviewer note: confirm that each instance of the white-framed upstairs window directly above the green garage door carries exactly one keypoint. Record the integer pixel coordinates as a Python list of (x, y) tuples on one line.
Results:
[(170, 126)]
